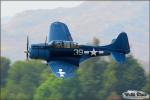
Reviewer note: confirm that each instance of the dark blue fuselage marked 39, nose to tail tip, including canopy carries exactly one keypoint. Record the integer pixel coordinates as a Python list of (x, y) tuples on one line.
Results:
[(69, 51)]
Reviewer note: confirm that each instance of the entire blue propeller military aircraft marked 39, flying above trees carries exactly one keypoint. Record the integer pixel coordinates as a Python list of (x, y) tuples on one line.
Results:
[(64, 55)]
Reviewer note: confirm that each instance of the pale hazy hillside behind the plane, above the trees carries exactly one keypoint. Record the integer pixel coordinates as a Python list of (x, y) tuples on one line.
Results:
[(104, 20)]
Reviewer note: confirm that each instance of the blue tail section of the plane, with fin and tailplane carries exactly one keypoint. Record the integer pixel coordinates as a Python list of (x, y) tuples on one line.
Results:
[(119, 47)]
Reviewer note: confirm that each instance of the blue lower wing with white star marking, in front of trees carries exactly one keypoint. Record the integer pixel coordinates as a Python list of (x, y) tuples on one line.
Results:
[(62, 69)]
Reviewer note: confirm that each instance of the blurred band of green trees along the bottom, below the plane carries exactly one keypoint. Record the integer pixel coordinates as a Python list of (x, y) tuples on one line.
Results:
[(96, 79)]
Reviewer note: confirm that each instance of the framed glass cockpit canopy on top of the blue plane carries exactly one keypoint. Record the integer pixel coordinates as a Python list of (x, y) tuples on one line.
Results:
[(63, 44)]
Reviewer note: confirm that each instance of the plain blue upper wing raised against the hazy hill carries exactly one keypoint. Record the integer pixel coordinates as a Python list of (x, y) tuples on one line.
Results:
[(59, 31)]
